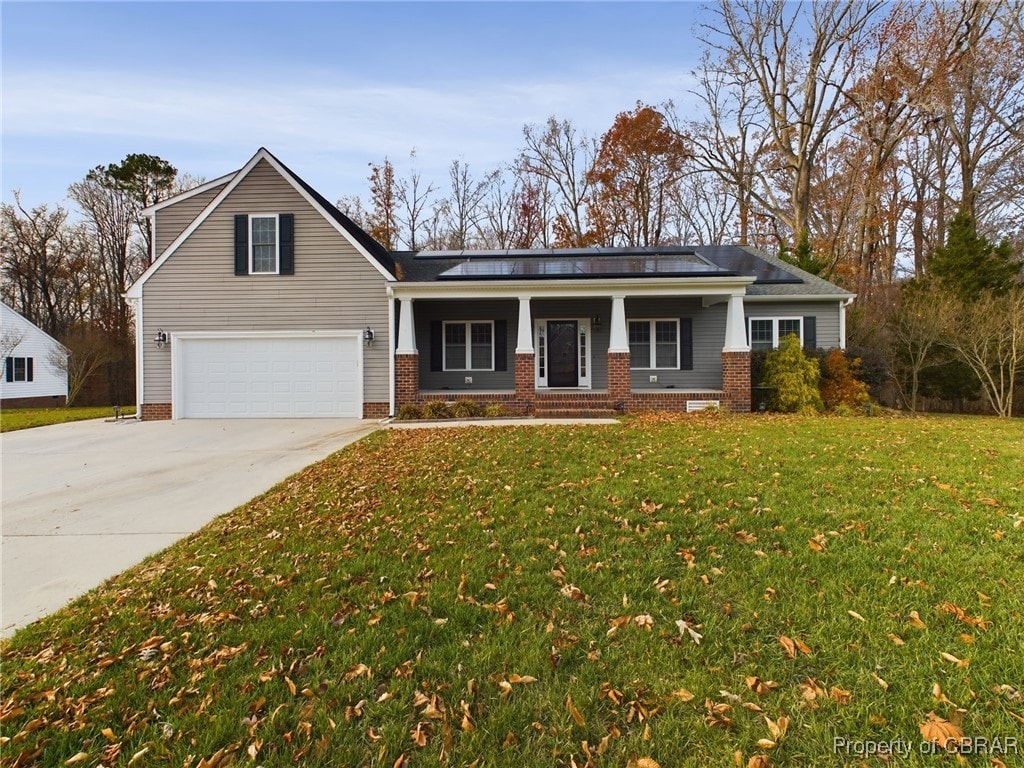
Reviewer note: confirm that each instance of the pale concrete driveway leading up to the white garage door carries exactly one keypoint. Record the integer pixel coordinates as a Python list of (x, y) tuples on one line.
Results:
[(84, 501)]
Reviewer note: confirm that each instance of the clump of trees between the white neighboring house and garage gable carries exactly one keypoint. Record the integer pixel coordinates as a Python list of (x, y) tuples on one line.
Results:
[(68, 275)]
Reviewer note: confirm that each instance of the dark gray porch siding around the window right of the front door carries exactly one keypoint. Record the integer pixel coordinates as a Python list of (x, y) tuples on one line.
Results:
[(709, 338)]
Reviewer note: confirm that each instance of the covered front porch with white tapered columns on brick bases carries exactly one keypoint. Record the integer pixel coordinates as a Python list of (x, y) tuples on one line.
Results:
[(582, 350)]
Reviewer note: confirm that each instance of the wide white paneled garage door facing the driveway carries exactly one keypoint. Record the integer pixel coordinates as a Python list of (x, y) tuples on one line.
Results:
[(268, 377)]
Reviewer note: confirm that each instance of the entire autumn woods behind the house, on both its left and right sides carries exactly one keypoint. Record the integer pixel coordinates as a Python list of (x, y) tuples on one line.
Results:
[(849, 138)]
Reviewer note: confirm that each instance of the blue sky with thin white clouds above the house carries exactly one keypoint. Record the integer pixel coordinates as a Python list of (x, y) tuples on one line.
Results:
[(327, 87)]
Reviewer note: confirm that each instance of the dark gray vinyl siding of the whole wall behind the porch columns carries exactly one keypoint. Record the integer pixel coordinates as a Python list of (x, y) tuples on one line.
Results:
[(709, 337)]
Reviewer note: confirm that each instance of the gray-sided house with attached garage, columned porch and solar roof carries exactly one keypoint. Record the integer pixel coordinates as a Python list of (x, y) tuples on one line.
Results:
[(265, 301)]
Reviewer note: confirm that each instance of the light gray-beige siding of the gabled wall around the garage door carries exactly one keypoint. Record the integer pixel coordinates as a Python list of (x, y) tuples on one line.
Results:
[(334, 286)]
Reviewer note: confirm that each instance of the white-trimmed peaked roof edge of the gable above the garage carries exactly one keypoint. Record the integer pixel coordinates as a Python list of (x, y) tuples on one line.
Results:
[(376, 254)]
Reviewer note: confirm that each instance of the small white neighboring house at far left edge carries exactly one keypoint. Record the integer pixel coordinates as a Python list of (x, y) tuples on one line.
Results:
[(29, 377)]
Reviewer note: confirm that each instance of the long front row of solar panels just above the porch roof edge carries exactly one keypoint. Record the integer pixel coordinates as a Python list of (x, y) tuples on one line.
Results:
[(592, 267)]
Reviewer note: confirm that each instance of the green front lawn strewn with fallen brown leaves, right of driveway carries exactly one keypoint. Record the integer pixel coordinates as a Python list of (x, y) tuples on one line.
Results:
[(391, 594)]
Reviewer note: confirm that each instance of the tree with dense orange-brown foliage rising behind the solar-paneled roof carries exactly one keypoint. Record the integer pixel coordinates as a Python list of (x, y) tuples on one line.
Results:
[(641, 161)]
